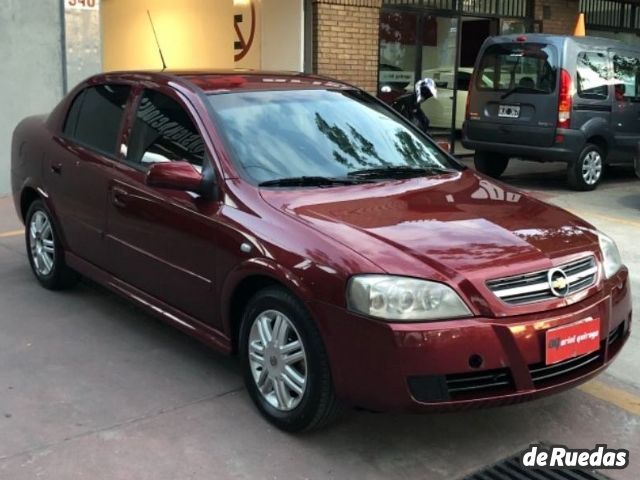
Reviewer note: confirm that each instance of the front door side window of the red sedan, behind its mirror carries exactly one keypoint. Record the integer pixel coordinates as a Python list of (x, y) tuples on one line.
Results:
[(163, 132)]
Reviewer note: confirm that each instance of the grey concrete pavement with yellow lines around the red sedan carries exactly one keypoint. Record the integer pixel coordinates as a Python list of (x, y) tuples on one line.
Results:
[(91, 387)]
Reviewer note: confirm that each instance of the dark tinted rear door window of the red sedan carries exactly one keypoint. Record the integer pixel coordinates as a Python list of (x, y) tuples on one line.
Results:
[(95, 117)]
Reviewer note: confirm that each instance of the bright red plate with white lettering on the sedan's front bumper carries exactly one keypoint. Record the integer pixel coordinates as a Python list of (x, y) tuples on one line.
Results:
[(572, 340)]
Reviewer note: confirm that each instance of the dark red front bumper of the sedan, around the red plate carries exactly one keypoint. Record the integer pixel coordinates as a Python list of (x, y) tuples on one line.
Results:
[(448, 365)]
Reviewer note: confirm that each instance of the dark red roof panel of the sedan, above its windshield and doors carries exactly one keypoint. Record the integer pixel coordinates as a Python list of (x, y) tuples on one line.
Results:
[(223, 81)]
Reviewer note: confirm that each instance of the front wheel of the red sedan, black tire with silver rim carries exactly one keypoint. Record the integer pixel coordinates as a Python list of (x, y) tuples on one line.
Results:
[(282, 405)]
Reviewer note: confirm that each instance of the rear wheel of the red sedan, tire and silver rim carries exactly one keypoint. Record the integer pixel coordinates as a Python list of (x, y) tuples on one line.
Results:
[(45, 253)]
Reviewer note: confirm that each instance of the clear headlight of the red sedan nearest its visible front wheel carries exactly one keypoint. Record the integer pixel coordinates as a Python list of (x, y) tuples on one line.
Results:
[(402, 298)]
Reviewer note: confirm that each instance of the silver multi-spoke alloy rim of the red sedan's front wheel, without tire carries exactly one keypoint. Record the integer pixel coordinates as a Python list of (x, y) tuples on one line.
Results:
[(278, 360)]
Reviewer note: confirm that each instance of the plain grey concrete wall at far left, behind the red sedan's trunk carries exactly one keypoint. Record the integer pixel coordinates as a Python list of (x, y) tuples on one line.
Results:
[(30, 67)]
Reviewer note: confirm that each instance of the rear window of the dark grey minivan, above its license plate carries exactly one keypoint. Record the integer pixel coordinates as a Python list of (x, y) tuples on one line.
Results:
[(525, 67)]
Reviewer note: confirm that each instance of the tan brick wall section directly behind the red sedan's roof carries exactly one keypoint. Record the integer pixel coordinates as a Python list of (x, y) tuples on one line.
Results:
[(345, 39)]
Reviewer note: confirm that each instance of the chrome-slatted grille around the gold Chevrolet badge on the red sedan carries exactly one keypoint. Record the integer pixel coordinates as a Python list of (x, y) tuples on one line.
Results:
[(534, 287)]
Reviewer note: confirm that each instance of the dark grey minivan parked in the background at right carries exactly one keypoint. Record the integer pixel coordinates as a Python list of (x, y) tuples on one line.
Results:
[(554, 98)]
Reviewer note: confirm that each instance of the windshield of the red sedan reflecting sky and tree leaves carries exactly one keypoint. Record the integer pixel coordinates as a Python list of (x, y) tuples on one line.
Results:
[(318, 133)]
